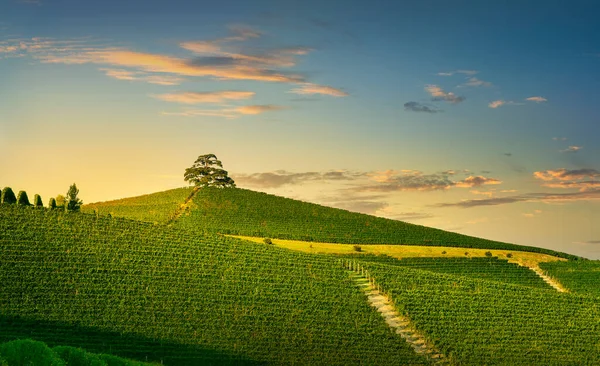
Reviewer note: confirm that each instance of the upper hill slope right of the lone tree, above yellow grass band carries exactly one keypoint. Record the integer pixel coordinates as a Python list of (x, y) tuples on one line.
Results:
[(245, 212)]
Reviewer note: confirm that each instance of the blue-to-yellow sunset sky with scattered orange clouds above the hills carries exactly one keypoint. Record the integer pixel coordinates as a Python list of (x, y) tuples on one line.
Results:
[(470, 116)]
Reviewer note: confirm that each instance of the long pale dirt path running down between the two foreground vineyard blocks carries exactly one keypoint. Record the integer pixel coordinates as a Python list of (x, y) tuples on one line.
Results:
[(400, 324)]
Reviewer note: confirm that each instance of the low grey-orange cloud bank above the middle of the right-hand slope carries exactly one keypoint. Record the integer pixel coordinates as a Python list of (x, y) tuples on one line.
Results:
[(393, 181)]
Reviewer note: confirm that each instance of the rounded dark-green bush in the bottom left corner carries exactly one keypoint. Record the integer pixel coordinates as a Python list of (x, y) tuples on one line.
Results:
[(29, 352)]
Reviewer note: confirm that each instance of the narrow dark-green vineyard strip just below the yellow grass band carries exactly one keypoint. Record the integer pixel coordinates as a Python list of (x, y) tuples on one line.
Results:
[(492, 269)]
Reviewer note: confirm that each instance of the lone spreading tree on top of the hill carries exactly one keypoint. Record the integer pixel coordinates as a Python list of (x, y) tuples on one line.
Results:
[(208, 171)]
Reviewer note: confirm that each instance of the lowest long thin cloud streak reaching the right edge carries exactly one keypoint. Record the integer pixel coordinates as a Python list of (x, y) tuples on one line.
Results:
[(528, 197)]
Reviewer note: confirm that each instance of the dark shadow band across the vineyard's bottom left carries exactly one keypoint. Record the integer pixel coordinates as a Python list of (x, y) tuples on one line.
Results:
[(129, 346)]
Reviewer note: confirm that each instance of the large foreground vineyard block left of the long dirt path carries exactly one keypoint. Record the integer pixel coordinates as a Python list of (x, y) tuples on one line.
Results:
[(150, 292)]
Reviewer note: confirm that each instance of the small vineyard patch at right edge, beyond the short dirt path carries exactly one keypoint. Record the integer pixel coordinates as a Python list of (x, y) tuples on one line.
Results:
[(582, 277)]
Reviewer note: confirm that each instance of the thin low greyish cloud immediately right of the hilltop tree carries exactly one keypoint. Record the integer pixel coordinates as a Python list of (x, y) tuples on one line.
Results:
[(281, 177)]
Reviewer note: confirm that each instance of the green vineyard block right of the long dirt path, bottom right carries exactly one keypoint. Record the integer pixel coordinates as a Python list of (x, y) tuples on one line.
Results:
[(477, 322)]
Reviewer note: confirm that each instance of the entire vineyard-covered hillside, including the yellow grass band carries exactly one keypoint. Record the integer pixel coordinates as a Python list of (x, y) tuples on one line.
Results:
[(156, 281)]
